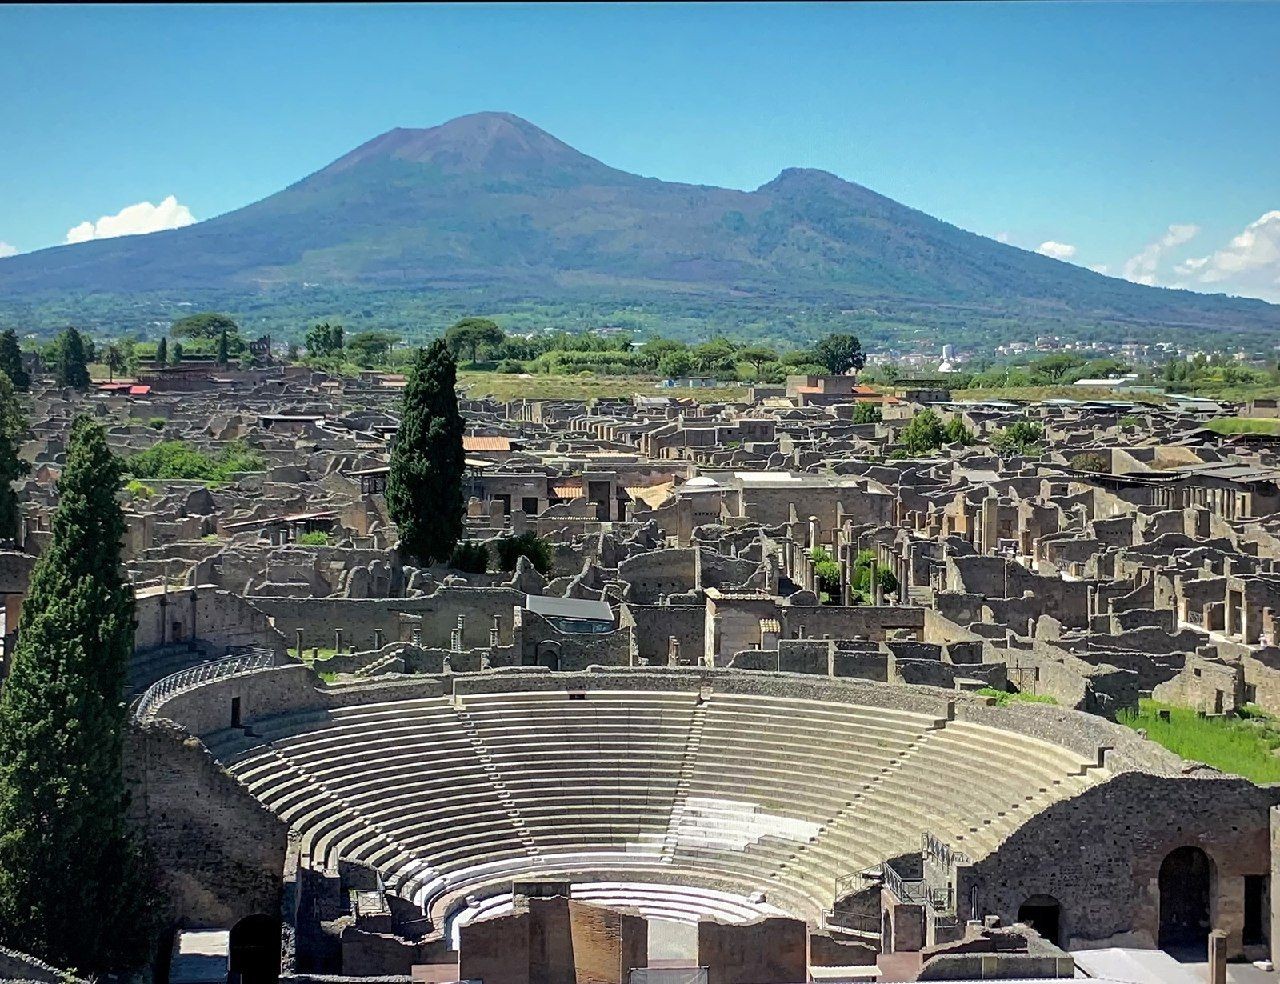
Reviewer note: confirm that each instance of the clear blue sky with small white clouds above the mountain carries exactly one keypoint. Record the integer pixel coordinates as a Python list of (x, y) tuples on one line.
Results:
[(1144, 139)]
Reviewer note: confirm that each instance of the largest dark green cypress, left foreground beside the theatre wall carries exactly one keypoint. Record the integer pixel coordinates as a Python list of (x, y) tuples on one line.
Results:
[(71, 890)]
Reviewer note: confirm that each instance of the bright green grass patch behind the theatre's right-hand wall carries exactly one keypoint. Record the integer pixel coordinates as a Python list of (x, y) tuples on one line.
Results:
[(1244, 745)]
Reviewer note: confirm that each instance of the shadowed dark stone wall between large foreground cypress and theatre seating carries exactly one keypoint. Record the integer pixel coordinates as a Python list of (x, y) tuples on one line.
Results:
[(220, 854)]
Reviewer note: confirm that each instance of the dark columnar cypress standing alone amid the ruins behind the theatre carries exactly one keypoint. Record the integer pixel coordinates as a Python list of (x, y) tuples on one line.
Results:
[(424, 489)]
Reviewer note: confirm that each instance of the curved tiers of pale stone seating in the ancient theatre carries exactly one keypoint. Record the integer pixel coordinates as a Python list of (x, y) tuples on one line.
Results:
[(740, 791)]
